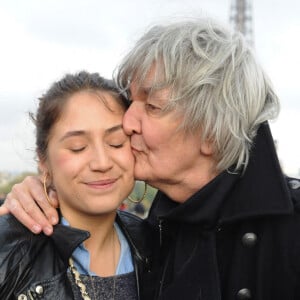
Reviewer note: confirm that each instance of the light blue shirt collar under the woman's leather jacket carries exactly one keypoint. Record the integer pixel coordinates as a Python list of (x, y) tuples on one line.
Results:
[(81, 255)]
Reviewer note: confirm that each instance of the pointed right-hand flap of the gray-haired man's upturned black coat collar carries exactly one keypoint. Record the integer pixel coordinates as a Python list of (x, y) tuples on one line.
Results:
[(262, 190)]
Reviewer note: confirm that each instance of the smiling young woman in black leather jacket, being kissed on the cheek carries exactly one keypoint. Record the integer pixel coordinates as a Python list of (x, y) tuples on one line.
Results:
[(85, 156)]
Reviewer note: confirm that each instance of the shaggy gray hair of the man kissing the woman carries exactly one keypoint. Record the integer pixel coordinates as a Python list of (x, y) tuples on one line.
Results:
[(215, 80)]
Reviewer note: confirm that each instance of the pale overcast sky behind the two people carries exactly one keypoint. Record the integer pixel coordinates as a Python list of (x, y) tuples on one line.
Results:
[(42, 40)]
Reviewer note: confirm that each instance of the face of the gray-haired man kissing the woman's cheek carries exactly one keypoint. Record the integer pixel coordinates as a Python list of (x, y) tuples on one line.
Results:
[(167, 158)]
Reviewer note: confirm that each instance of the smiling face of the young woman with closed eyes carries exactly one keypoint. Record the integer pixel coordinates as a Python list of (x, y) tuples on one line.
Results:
[(89, 156)]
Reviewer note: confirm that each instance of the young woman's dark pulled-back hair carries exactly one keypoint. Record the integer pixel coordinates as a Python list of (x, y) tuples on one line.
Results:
[(51, 104)]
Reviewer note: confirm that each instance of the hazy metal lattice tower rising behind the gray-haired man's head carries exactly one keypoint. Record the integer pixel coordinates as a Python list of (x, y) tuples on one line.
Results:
[(241, 18)]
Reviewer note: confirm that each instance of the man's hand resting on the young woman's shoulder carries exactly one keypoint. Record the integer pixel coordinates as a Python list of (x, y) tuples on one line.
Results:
[(28, 203)]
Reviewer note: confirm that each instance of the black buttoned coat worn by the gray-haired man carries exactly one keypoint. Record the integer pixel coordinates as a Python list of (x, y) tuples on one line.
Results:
[(237, 238)]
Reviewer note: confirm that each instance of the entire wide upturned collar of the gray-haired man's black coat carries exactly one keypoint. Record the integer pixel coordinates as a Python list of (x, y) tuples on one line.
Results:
[(260, 190)]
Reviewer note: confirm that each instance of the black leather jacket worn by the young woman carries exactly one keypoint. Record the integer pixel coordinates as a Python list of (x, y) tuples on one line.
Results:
[(35, 266)]
